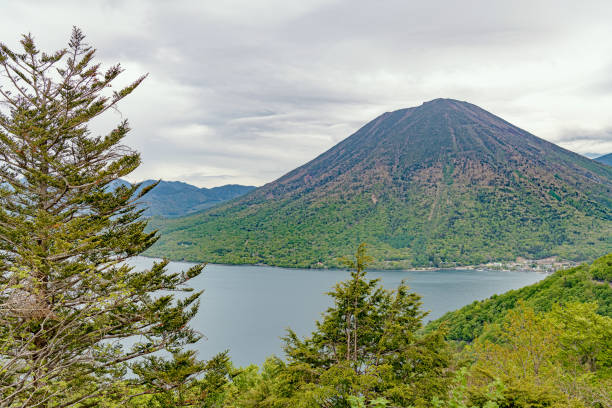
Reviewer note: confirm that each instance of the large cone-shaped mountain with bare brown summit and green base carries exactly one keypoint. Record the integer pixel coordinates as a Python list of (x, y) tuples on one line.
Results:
[(442, 184)]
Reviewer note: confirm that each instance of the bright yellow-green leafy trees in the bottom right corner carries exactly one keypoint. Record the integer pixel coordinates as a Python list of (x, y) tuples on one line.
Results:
[(544, 359)]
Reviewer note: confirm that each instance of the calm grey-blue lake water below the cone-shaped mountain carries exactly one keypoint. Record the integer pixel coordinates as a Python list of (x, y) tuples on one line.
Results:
[(246, 309)]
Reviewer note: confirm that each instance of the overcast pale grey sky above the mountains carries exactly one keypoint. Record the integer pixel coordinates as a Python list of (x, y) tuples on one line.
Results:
[(243, 91)]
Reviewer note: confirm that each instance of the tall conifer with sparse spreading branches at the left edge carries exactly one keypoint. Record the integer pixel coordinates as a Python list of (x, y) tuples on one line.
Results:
[(78, 326)]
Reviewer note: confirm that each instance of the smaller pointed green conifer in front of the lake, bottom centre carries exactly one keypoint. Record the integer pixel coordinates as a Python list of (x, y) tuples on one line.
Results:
[(366, 345)]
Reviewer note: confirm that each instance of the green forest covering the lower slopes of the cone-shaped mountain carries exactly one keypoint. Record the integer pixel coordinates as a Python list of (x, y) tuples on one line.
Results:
[(475, 229)]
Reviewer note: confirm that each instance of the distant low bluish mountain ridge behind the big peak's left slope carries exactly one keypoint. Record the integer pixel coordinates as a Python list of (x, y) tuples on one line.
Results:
[(175, 198)]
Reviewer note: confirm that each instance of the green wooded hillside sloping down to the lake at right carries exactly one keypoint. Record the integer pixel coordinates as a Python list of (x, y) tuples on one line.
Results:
[(585, 283)]
